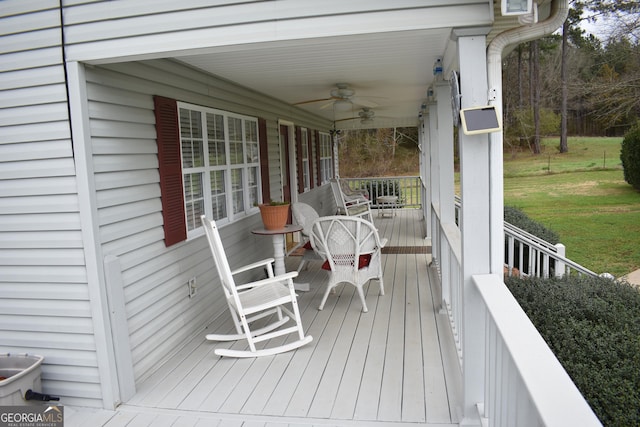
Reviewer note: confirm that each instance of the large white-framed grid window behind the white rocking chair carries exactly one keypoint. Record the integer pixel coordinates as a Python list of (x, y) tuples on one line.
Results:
[(220, 164)]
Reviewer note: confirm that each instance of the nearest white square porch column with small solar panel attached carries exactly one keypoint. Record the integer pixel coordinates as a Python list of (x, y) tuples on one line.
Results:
[(475, 222)]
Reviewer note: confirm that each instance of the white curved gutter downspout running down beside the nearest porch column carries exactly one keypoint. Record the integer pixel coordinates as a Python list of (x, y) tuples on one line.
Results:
[(559, 12)]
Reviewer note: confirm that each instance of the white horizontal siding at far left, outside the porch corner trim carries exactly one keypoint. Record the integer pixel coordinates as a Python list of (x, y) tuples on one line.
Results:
[(44, 298)]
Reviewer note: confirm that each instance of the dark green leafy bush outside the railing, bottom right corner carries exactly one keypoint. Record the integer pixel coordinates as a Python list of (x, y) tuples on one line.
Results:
[(593, 327)]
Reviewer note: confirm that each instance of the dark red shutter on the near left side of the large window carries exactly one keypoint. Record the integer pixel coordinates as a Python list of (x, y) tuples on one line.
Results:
[(170, 167)]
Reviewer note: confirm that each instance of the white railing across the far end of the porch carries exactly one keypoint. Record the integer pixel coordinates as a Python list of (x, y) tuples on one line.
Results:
[(407, 188)]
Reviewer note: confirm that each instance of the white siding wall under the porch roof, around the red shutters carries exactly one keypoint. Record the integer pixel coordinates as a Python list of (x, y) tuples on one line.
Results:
[(159, 313)]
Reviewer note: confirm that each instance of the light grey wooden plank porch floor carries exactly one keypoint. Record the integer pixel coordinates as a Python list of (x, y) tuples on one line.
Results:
[(395, 365)]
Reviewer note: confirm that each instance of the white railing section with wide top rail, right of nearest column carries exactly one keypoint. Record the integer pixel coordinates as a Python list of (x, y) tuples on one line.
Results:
[(525, 384)]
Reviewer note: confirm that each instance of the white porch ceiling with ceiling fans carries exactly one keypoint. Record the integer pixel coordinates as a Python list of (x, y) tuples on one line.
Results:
[(392, 70)]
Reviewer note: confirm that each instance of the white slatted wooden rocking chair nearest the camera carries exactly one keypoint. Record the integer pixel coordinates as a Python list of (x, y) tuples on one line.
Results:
[(256, 300)]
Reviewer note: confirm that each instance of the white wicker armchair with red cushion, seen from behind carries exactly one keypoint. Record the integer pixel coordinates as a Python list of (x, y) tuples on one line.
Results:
[(352, 248)]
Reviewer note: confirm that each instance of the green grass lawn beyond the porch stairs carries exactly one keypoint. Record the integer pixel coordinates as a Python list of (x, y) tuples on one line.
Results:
[(583, 198)]
